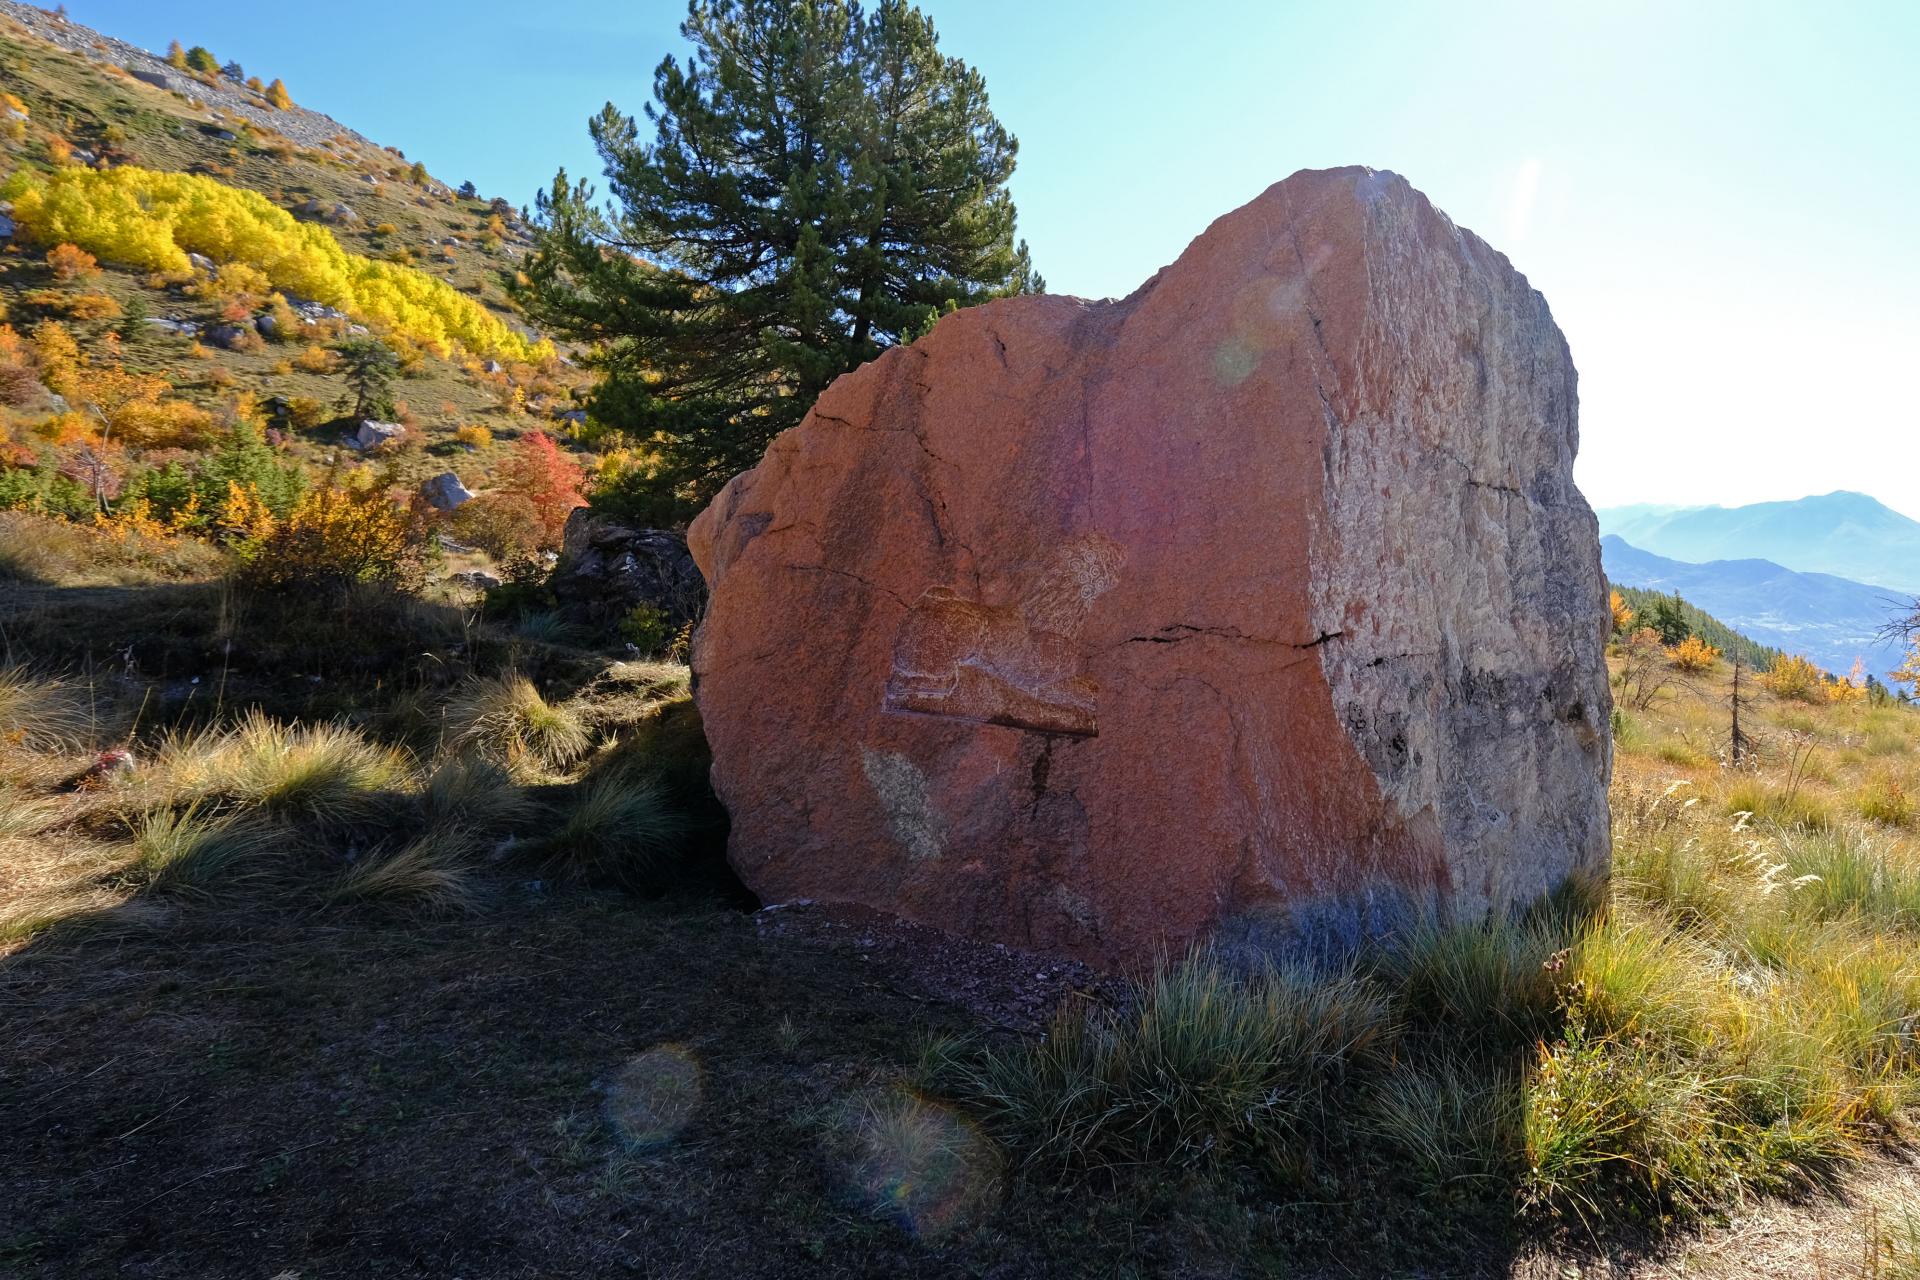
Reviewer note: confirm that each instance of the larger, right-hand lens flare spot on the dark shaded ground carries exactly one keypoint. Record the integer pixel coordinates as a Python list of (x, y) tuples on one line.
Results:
[(919, 1164)]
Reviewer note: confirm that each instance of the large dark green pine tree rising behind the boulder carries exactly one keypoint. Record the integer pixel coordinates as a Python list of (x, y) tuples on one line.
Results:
[(823, 183)]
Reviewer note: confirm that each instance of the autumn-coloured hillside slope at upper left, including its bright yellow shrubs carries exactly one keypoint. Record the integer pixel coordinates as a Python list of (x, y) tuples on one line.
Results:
[(300, 245)]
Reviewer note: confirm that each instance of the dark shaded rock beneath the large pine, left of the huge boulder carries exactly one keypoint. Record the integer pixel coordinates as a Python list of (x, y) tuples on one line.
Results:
[(610, 567)]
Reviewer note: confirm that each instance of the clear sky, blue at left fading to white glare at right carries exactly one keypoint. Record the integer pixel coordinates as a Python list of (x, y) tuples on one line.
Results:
[(1719, 199)]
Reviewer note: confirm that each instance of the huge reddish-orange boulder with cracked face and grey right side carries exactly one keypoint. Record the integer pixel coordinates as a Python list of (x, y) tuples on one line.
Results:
[(1259, 605)]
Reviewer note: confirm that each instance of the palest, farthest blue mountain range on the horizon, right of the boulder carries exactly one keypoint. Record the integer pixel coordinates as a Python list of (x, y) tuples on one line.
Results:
[(1844, 534)]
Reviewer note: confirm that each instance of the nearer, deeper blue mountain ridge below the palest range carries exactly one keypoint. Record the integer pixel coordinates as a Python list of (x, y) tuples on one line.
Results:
[(1829, 619)]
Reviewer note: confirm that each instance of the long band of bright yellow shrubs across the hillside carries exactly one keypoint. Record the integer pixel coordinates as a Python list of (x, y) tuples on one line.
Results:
[(151, 220)]
